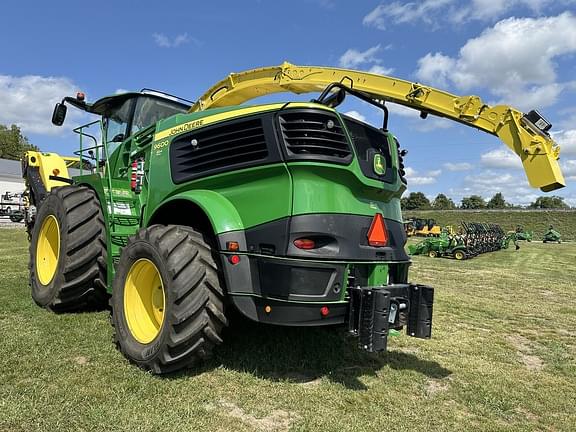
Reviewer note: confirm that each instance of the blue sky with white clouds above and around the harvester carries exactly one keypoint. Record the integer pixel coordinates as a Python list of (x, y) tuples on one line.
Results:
[(519, 52)]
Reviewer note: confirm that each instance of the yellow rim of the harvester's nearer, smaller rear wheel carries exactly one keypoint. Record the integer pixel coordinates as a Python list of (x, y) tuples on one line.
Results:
[(144, 301)]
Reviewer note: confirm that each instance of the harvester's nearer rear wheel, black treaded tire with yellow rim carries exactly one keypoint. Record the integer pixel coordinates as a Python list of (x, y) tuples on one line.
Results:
[(167, 299)]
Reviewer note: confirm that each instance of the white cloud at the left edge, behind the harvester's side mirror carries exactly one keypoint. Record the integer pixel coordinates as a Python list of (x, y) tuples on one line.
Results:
[(28, 101)]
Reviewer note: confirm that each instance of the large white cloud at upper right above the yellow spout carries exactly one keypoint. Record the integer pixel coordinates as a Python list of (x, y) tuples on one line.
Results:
[(515, 59)]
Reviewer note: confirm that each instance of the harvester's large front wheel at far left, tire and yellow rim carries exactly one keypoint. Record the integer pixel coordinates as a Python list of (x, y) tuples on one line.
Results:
[(68, 252)]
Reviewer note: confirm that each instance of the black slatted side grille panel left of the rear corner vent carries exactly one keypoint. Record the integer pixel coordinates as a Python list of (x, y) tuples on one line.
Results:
[(216, 149)]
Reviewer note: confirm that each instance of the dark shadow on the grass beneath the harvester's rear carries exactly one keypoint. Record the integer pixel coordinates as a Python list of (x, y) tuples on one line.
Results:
[(303, 355)]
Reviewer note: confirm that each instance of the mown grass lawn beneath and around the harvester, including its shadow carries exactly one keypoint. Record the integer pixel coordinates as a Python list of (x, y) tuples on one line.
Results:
[(502, 358)]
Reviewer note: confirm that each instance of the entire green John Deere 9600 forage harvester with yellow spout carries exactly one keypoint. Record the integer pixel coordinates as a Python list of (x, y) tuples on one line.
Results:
[(287, 212)]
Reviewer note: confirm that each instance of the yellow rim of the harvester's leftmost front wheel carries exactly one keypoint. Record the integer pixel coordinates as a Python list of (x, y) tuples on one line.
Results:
[(48, 250)]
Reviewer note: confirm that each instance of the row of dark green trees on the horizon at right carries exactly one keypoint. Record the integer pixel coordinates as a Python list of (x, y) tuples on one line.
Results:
[(419, 201)]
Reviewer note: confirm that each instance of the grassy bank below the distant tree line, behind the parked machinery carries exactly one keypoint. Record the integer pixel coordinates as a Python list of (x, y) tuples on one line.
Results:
[(535, 220)]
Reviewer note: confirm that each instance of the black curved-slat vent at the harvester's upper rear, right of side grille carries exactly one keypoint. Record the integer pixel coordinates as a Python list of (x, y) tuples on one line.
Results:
[(308, 135)]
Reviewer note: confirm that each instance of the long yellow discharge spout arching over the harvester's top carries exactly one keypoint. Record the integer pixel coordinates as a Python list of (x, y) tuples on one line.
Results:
[(538, 152)]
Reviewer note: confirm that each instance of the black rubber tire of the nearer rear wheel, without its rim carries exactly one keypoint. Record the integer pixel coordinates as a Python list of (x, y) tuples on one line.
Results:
[(196, 316)]
